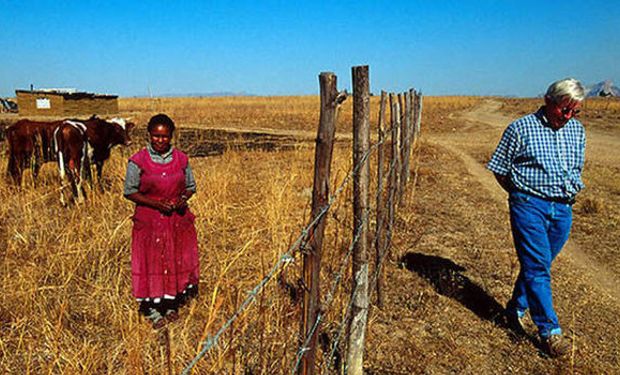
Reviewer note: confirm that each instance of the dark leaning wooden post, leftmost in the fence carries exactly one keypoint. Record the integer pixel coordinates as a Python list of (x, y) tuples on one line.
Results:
[(330, 100)]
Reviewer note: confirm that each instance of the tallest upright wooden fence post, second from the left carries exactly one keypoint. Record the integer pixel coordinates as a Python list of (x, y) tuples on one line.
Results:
[(361, 145)]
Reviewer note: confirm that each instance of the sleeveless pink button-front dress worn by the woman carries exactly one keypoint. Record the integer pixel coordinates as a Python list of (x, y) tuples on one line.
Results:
[(164, 248)]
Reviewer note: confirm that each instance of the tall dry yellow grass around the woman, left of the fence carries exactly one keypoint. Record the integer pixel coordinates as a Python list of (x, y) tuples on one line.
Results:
[(69, 309)]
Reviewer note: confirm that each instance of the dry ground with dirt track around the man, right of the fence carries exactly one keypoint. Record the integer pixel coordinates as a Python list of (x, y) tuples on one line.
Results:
[(458, 219)]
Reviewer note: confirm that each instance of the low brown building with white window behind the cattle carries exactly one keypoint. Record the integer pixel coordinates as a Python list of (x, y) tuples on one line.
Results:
[(64, 103)]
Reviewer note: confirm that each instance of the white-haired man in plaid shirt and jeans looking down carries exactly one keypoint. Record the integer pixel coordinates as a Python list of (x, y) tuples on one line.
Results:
[(539, 161)]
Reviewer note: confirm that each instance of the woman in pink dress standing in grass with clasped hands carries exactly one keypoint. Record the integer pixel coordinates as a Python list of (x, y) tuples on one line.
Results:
[(164, 246)]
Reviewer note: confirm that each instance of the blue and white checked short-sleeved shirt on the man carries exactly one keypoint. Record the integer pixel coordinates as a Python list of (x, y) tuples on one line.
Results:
[(539, 160)]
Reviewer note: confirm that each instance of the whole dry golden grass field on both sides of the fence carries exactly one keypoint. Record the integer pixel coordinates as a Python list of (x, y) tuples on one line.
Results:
[(67, 306)]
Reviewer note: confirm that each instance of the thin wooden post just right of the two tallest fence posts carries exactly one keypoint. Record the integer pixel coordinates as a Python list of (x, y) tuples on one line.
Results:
[(380, 204)]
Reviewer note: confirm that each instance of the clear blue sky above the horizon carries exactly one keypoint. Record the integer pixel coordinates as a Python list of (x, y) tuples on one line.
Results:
[(280, 47)]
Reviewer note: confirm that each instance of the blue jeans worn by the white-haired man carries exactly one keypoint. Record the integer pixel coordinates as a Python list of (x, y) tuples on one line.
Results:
[(539, 229)]
